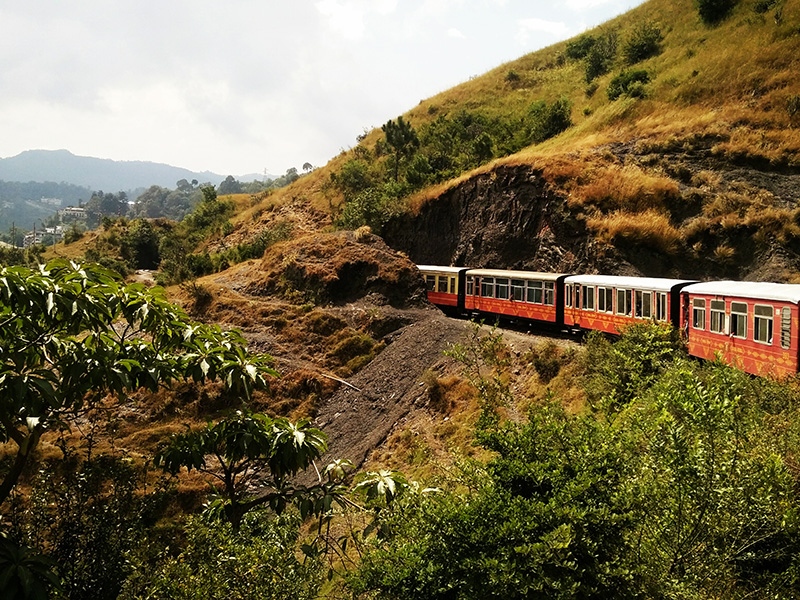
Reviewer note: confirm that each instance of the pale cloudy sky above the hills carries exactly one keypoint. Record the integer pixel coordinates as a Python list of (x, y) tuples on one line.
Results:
[(249, 86)]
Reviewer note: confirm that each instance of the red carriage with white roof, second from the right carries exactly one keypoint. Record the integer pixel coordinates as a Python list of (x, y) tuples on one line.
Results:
[(609, 303)]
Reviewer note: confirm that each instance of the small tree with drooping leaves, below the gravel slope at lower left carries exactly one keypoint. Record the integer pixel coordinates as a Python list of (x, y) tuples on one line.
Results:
[(248, 448)]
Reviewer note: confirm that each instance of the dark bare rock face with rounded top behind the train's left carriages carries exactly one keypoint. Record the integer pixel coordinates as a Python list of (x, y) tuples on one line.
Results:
[(508, 218)]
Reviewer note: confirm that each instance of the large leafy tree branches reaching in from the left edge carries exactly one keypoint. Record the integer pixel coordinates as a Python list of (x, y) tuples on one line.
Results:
[(72, 334)]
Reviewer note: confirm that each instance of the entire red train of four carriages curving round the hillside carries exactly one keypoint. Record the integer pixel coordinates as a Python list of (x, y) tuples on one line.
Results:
[(752, 326)]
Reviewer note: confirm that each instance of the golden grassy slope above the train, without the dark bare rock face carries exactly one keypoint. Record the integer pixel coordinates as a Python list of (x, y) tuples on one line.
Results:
[(676, 135)]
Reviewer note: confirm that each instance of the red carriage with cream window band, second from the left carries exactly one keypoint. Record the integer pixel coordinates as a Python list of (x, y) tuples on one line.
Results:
[(515, 294)]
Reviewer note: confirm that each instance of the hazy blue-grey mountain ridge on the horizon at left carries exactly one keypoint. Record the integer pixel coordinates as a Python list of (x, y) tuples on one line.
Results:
[(99, 173)]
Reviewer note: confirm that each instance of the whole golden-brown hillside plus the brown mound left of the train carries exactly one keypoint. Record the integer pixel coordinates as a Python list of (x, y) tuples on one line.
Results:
[(689, 169)]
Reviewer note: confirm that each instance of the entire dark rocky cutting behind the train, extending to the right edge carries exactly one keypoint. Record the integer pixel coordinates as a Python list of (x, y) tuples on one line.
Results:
[(513, 218)]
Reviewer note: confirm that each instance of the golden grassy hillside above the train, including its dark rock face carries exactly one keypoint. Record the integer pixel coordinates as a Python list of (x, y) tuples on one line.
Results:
[(692, 169)]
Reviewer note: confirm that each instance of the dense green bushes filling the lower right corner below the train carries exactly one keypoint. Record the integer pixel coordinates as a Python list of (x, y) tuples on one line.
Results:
[(687, 489)]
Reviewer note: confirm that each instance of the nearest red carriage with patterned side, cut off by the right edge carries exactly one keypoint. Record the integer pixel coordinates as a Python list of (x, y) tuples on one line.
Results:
[(749, 325)]
